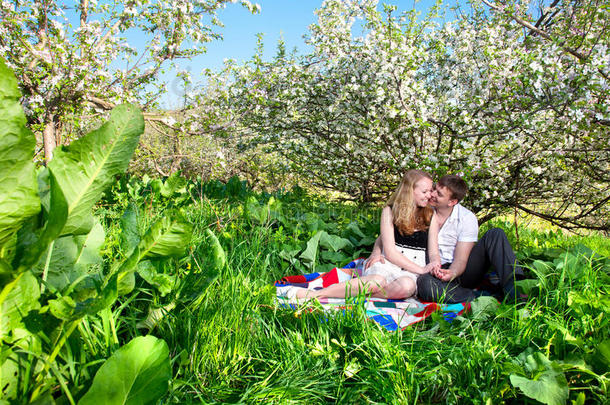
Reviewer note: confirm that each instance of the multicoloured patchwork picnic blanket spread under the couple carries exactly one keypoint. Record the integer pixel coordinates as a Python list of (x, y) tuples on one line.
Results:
[(390, 314)]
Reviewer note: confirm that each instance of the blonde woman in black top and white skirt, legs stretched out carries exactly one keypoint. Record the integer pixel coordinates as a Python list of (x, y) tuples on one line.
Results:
[(403, 226)]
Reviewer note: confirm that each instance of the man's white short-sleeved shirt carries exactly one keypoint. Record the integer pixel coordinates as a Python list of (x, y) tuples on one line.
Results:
[(461, 226)]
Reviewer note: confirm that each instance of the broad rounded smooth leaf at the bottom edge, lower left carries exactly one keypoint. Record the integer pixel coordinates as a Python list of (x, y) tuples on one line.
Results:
[(137, 373)]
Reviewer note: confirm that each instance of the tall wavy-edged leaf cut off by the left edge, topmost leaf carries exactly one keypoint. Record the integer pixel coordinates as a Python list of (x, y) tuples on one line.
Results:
[(18, 186)]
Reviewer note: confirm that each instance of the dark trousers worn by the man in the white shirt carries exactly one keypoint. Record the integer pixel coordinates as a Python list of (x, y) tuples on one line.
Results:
[(492, 250)]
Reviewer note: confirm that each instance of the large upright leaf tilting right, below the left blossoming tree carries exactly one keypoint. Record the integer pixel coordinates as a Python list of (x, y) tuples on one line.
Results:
[(88, 165)]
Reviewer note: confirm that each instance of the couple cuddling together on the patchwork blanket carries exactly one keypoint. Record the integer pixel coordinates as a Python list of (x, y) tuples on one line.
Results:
[(428, 247)]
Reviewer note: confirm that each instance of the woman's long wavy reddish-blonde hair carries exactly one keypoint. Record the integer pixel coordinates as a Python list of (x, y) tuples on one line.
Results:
[(406, 215)]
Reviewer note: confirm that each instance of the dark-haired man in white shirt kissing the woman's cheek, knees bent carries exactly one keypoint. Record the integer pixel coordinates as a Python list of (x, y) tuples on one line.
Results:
[(457, 261)]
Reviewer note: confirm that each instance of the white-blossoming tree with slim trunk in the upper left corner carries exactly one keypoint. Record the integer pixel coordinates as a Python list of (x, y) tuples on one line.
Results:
[(74, 56)]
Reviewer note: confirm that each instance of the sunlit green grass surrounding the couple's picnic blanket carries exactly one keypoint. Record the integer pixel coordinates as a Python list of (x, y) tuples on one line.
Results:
[(229, 342)]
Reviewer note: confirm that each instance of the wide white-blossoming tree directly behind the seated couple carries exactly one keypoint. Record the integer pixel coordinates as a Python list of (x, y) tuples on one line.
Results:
[(512, 109)]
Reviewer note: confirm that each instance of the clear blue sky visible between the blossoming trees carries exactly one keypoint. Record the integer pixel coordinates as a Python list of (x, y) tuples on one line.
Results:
[(287, 19)]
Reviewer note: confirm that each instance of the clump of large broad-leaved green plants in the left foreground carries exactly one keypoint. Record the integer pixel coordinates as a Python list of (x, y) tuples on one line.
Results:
[(53, 277)]
